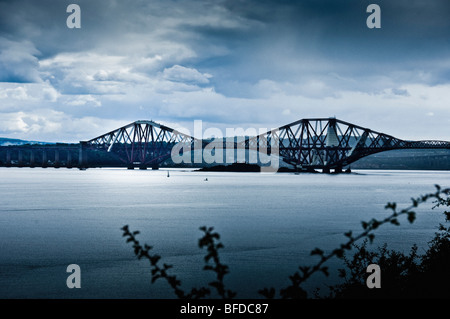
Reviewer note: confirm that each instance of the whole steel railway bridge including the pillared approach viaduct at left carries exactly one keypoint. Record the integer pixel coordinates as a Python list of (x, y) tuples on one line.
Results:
[(308, 144)]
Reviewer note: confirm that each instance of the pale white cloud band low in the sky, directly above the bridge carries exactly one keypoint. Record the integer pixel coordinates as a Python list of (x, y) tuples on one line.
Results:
[(402, 116)]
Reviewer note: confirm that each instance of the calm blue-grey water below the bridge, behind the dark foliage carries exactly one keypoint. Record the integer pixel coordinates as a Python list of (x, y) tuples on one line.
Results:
[(50, 218)]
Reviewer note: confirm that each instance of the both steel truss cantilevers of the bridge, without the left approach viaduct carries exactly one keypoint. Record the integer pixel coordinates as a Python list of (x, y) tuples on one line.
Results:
[(320, 143)]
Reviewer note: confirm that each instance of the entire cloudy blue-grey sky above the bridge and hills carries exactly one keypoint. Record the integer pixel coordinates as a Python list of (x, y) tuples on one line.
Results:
[(229, 63)]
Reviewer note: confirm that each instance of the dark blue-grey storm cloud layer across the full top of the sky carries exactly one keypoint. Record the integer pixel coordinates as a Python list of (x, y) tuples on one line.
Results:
[(263, 39)]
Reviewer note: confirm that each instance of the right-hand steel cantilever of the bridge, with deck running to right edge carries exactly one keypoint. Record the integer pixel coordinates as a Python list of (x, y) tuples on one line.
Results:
[(329, 143)]
